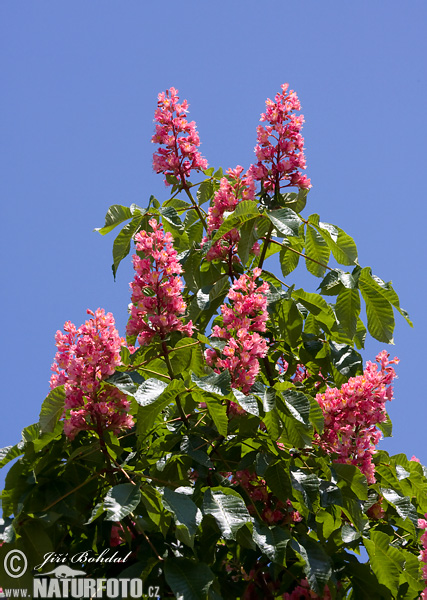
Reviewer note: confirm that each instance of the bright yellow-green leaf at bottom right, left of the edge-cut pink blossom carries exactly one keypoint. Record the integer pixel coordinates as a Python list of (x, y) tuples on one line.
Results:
[(386, 561)]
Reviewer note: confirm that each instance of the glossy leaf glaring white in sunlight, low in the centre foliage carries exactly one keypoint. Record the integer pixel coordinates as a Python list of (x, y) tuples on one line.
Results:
[(228, 509)]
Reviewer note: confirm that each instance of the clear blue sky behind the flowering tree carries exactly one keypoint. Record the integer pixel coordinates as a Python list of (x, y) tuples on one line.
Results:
[(79, 84)]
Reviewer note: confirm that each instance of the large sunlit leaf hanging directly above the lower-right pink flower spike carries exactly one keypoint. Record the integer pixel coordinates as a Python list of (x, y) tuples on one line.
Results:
[(378, 309)]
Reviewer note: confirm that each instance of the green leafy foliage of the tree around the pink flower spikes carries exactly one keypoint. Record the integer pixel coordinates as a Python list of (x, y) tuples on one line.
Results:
[(194, 486)]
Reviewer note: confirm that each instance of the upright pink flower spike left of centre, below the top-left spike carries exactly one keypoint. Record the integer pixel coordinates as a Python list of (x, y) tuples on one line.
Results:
[(157, 288)]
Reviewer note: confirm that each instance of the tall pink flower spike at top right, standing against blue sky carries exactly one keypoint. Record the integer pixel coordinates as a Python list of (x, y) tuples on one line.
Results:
[(280, 144)]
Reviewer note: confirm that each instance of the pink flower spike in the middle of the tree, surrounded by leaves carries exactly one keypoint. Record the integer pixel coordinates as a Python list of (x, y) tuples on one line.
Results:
[(241, 320)]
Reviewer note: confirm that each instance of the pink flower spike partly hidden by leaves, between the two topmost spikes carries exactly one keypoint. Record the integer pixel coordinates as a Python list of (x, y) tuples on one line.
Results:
[(232, 190)]
